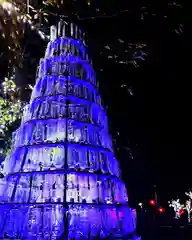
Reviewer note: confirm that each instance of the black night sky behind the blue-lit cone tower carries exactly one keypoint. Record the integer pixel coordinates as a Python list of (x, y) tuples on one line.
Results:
[(154, 121)]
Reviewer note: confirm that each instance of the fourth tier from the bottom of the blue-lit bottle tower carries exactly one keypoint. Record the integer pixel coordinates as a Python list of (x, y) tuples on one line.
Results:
[(59, 130)]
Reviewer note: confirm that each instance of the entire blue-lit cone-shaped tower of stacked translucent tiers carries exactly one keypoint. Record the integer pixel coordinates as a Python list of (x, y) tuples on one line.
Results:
[(62, 178)]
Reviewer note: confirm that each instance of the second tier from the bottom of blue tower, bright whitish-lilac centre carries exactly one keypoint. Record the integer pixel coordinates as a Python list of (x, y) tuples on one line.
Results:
[(49, 187)]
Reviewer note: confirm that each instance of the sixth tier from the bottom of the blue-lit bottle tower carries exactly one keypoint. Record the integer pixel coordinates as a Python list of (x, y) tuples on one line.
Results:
[(70, 88)]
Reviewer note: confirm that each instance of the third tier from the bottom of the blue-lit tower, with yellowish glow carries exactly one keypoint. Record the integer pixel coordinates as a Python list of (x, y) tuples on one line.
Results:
[(62, 156)]
